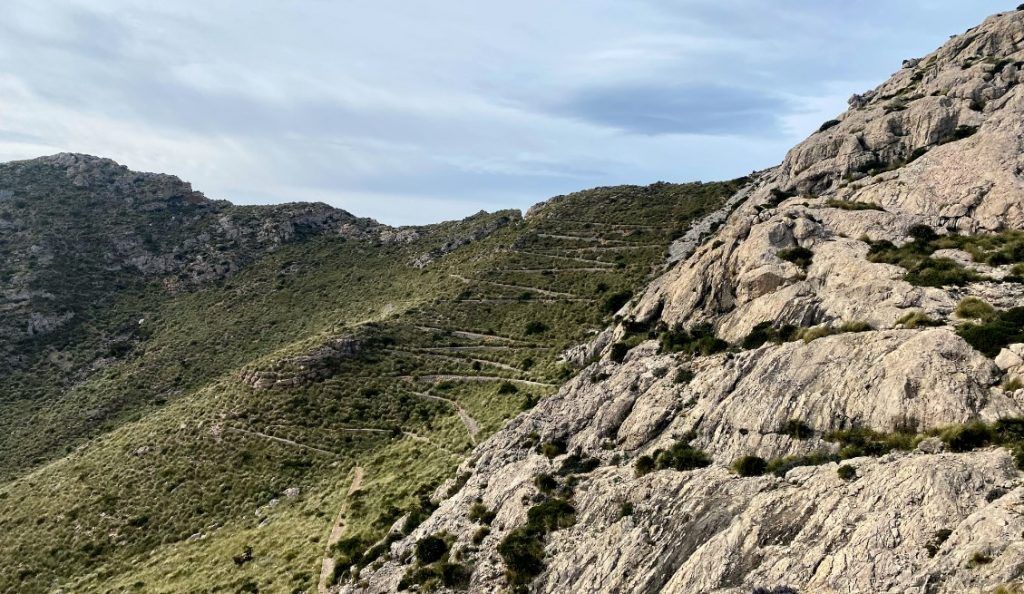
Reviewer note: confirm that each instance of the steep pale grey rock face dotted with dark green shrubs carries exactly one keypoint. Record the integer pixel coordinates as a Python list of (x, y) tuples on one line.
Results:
[(824, 397)]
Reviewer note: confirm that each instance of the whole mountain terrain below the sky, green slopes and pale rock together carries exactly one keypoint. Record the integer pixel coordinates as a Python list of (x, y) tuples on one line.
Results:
[(805, 381)]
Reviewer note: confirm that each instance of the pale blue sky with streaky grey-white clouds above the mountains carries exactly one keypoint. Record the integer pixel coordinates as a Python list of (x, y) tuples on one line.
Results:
[(414, 112)]
